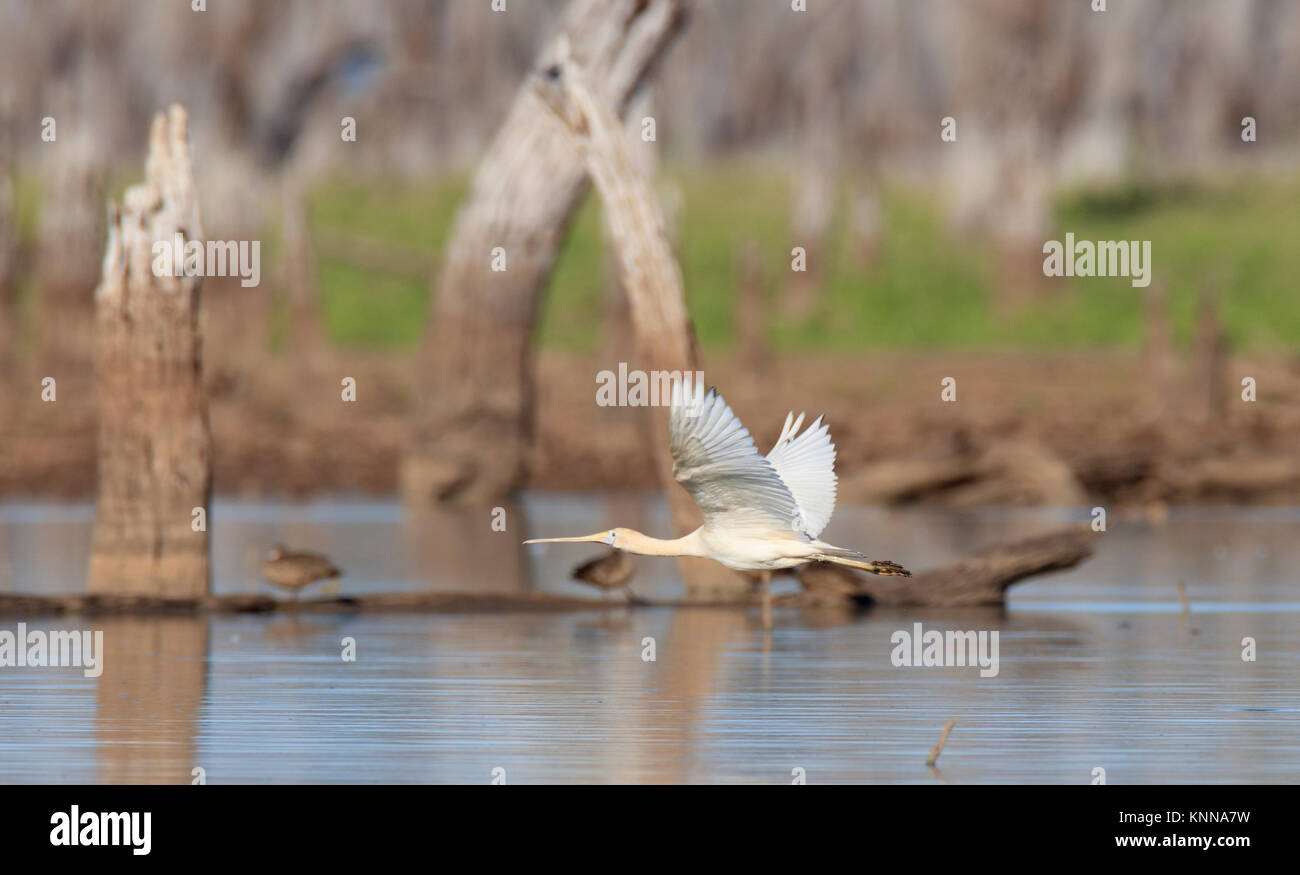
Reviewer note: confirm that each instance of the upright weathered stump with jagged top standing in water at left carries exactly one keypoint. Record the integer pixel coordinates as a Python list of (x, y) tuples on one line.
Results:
[(155, 451)]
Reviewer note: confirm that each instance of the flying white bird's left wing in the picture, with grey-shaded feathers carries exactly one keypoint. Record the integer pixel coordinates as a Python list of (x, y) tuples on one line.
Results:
[(714, 458)]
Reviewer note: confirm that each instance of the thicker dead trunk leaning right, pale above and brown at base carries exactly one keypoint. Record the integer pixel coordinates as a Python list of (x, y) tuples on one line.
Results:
[(474, 415)]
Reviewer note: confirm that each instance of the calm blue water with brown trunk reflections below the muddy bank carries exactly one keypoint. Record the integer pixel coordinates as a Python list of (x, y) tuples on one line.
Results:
[(1099, 666)]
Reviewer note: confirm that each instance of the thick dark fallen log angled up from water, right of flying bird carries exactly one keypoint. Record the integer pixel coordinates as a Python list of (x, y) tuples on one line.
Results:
[(981, 579)]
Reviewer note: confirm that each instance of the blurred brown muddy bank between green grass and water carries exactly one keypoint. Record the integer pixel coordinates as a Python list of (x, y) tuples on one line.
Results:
[(1025, 430)]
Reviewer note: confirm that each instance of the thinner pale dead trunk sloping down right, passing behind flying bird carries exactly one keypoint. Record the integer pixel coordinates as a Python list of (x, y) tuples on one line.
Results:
[(651, 276)]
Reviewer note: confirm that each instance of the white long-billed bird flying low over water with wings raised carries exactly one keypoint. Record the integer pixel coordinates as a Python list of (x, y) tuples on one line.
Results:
[(761, 513)]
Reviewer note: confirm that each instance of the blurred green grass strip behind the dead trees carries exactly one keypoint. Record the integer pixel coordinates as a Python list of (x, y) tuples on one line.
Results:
[(926, 288)]
